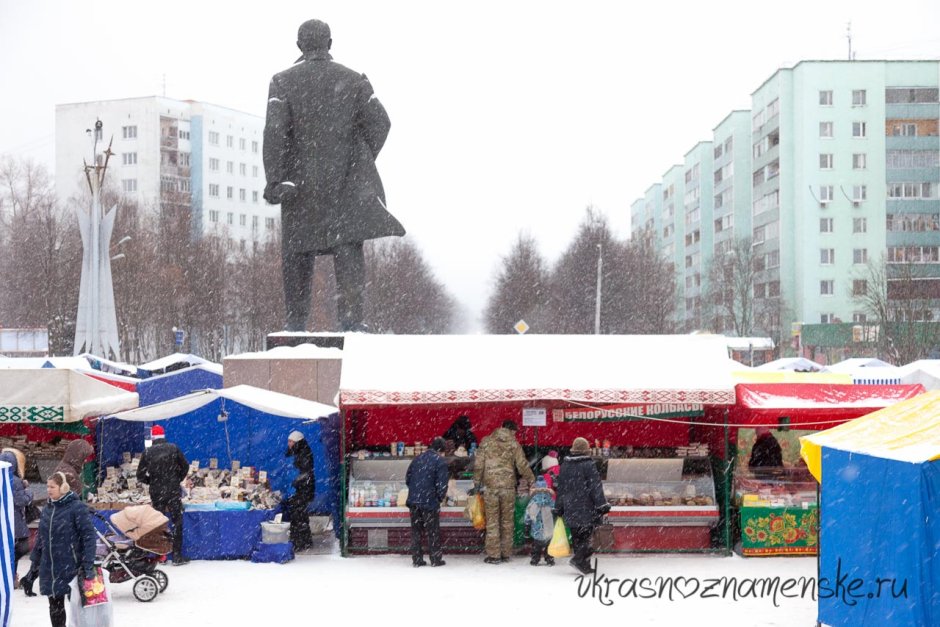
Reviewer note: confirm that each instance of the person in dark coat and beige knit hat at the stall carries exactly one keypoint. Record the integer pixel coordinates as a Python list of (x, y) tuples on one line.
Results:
[(580, 501)]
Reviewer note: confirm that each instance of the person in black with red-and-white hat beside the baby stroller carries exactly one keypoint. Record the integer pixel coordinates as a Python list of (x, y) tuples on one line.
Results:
[(164, 467)]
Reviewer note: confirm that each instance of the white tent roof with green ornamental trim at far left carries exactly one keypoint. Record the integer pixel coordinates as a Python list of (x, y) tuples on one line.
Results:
[(57, 395)]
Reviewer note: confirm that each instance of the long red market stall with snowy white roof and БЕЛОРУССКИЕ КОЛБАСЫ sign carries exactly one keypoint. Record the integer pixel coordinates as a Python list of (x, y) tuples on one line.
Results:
[(632, 396)]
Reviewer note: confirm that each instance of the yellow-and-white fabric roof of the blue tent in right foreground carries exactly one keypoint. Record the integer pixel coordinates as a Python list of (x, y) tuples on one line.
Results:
[(907, 431)]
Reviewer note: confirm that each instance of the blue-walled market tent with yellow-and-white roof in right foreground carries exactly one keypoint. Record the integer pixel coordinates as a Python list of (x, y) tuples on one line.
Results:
[(880, 487)]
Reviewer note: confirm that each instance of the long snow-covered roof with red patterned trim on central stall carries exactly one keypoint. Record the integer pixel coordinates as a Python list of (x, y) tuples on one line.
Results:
[(429, 369)]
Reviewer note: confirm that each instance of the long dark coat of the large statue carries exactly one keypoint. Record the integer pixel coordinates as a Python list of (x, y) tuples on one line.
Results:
[(323, 131)]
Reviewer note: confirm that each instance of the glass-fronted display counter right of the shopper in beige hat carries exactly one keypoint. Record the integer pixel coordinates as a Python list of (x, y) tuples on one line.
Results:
[(658, 504)]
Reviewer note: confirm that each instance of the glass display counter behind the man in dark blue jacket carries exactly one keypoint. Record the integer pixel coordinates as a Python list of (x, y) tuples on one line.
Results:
[(378, 521)]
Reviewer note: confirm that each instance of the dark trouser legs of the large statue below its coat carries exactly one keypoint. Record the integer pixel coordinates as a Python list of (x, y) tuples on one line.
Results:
[(350, 268)]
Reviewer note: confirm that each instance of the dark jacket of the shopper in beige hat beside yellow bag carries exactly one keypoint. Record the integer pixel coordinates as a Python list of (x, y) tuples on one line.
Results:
[(580, 498)]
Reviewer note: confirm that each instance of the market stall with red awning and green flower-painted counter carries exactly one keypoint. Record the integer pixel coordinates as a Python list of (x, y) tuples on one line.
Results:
[(776, 507)]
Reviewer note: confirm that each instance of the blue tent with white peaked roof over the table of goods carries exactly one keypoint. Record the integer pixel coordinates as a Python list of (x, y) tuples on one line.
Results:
[(241, 423)]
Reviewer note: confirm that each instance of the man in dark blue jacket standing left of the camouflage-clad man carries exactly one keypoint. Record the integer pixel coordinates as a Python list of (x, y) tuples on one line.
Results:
[(427, 486)]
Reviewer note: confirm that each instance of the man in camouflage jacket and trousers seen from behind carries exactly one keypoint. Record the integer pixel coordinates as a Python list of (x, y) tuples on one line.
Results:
[(498, 459)]
